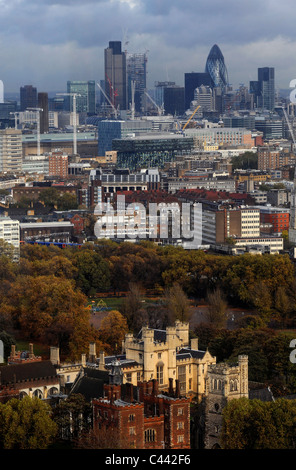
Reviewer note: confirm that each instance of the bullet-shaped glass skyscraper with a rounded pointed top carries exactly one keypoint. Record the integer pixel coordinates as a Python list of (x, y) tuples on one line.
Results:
[(216, 68)]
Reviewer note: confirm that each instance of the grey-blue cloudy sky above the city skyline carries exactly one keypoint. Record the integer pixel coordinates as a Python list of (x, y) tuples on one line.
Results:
[(47, 42)]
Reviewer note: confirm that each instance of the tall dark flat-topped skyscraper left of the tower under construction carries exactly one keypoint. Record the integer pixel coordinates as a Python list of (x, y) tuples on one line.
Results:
[(115, 75)]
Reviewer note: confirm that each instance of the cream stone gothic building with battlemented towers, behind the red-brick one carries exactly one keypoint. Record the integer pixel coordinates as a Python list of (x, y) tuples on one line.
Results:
[(162, 355)]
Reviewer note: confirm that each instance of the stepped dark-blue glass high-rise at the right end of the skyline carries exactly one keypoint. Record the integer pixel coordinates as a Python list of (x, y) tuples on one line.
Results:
[(263, 88)]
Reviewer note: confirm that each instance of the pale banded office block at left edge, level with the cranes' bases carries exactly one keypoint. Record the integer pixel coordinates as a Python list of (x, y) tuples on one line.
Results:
[(10, 150)]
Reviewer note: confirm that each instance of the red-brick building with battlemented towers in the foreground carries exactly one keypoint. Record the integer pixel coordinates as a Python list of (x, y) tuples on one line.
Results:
[(144, 417)]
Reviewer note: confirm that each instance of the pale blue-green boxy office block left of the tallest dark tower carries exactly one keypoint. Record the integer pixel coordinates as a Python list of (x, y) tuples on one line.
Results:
[(86, 102)]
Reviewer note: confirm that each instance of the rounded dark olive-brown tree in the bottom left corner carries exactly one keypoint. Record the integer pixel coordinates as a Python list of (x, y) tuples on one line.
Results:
[(26, 424)]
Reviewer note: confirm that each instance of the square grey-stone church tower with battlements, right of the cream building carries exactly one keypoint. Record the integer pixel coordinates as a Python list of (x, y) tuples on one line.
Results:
[(224, 383)]
